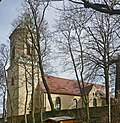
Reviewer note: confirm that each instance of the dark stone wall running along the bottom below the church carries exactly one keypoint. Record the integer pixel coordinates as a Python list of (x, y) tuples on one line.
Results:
[(97, 115)]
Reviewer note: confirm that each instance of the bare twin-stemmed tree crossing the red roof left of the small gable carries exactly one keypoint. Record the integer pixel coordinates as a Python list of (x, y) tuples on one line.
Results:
[(71, 46)]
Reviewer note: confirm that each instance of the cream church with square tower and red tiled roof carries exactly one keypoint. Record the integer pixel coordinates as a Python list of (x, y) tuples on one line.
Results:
[(22, 71)]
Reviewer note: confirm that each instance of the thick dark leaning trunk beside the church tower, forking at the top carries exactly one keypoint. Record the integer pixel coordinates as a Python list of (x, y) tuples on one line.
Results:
[(37, 23)]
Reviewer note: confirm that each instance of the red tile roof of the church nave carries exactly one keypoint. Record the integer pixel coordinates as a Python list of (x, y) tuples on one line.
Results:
[(66, 86)]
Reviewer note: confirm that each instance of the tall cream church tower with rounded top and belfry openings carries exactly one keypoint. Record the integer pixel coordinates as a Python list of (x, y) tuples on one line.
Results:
[(22, 72)]
